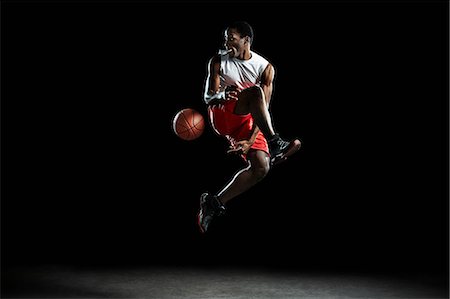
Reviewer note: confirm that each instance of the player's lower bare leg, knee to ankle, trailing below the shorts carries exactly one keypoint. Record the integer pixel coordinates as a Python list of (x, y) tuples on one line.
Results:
[(258, 167)]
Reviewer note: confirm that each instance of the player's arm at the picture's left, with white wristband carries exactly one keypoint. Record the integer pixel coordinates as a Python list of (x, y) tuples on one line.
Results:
[(212, 94)]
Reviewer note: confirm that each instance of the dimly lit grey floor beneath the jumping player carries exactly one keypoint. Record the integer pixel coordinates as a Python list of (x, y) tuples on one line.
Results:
[(56, 281)]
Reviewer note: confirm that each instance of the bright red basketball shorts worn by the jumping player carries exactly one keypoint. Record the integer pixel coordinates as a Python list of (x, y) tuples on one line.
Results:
[(233, 126)]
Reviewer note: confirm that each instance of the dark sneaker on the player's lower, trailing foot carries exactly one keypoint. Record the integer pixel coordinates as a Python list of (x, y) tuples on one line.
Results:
[(210, 207)]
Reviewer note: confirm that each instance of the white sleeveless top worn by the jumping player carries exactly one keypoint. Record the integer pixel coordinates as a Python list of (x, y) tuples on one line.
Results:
[(241, 73)]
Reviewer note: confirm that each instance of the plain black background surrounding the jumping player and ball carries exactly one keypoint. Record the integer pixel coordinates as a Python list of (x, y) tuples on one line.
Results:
[(92, 172)]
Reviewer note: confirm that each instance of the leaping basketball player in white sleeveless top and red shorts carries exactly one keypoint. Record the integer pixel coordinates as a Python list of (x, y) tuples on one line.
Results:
[(238, 90)]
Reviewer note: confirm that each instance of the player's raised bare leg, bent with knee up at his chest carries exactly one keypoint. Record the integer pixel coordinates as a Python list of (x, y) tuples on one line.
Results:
[(252, 100)]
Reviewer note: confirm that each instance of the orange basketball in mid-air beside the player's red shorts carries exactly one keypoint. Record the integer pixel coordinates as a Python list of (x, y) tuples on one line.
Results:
[(188, 124)]
